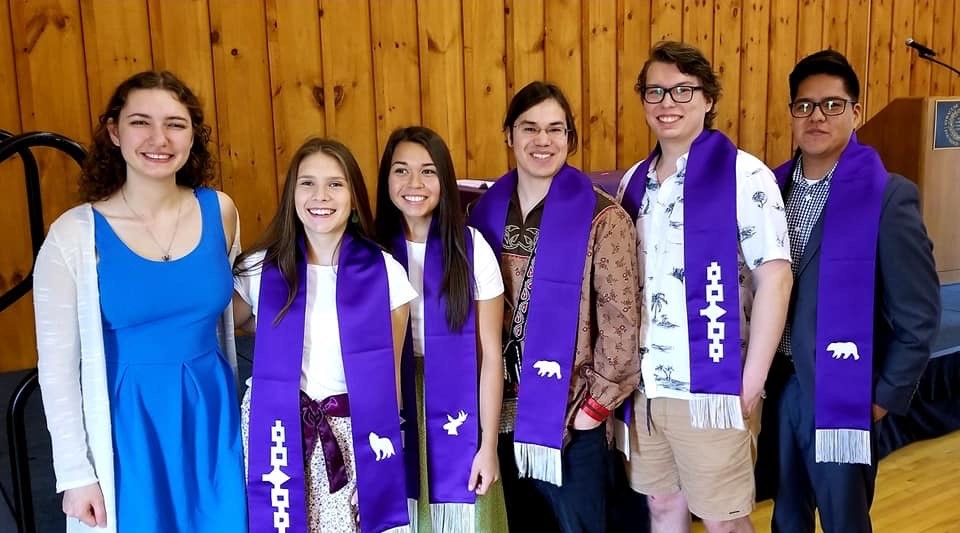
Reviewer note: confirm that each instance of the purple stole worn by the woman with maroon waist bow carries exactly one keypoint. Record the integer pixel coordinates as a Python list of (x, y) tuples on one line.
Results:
[(275, 485)]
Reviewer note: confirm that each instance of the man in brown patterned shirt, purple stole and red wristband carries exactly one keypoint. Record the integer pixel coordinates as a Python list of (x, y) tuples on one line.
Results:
[(571, 324)]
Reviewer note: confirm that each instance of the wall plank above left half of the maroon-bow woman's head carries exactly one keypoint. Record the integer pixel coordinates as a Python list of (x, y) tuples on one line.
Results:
[(296, 78)]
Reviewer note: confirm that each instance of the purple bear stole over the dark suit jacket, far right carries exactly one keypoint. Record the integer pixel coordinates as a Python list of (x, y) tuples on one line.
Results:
[(845, 304)]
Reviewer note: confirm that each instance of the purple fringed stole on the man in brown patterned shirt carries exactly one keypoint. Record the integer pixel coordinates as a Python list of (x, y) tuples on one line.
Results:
[(552, 322)]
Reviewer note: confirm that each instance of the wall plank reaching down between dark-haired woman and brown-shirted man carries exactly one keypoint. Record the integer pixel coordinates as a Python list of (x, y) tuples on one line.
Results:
[(485, 87)]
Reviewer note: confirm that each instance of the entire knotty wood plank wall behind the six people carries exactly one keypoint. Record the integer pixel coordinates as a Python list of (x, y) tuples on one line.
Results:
[(272, 72)]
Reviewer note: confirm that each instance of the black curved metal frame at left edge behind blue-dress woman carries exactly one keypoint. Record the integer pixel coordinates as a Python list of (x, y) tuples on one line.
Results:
[(11, 145)]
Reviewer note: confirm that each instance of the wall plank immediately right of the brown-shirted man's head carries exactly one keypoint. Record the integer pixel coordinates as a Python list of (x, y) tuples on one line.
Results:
[(598, 127)]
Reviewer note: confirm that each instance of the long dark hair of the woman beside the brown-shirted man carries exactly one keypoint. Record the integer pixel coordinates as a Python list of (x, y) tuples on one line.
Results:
[(448, 215)]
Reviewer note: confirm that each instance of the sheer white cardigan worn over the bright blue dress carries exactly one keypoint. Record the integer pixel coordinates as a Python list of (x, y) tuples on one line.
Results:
[(72, 364)]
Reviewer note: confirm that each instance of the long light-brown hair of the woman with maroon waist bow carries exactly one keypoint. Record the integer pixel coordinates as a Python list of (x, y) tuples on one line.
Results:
[(282, 236)]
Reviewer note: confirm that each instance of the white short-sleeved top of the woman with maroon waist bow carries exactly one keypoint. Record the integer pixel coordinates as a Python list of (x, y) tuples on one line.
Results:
[(321, 373)]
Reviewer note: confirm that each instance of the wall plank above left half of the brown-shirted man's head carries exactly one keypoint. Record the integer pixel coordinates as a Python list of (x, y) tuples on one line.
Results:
[(525, 43)]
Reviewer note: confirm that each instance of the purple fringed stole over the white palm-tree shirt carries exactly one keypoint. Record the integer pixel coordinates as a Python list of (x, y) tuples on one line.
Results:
[(712, 275)]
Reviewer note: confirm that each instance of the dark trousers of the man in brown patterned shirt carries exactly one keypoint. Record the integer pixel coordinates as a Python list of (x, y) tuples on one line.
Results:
[(578, 506)]
